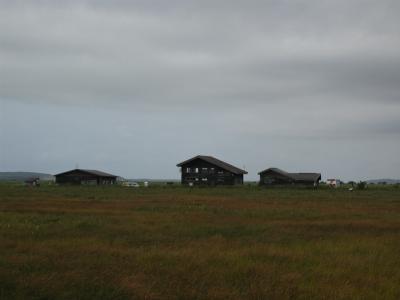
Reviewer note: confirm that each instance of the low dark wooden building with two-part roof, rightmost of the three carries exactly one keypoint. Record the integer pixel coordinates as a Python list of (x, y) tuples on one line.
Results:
[(275, 176)]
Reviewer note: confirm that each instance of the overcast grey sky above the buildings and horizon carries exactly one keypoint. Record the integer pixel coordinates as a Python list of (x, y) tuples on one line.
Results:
[(134, 87)]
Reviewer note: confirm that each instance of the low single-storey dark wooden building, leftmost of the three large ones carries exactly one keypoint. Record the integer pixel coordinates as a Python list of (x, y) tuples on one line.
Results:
[(88, 177)]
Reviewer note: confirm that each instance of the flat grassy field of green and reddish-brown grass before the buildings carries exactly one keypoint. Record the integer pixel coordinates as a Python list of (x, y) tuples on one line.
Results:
[(219, 243)]
